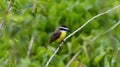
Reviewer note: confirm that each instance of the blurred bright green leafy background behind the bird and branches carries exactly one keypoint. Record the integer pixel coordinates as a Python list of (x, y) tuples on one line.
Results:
[(23, 19)]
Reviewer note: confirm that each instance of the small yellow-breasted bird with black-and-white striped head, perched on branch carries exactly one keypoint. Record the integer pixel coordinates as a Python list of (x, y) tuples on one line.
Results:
[(59, 34)]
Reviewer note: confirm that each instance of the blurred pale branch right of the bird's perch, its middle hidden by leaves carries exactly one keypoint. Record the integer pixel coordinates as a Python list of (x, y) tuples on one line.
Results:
[(80, 51)]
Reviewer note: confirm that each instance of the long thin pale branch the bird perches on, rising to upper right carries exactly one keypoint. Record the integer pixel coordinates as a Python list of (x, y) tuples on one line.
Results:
[(47, 64)]
